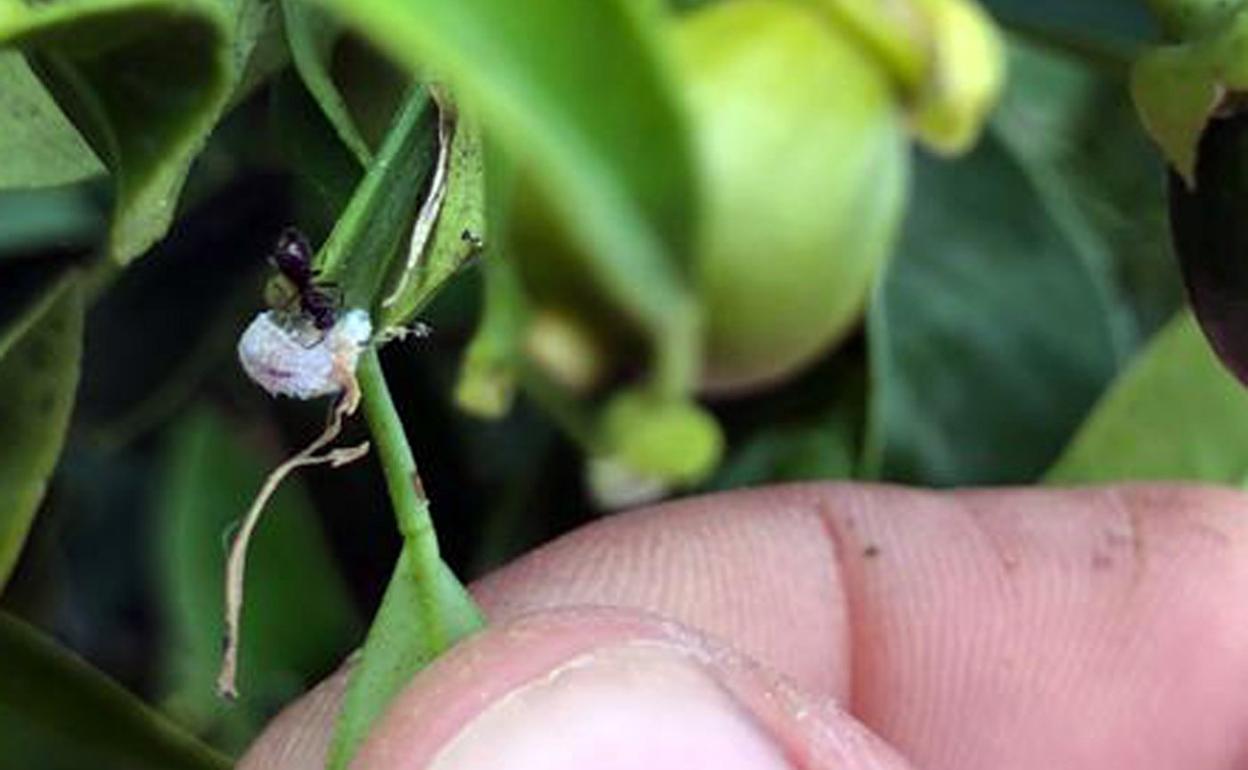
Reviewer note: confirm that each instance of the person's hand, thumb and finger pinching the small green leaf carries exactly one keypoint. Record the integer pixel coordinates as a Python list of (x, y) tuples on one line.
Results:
[(844, 627)]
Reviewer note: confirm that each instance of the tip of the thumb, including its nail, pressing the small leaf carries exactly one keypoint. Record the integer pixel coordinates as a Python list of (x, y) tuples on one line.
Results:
[(615, 691)]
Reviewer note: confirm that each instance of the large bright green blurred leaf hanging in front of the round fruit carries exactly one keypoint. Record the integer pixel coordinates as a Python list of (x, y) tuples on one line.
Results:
[(583, 100)]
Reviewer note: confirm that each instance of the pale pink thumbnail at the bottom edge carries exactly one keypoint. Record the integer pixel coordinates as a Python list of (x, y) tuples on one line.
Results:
[(640, 707)]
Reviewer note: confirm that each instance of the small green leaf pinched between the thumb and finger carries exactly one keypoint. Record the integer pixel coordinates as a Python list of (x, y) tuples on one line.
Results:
[(396, 648)]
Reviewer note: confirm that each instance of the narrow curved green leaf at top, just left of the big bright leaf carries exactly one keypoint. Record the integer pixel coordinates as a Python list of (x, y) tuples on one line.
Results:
[(313, 34)]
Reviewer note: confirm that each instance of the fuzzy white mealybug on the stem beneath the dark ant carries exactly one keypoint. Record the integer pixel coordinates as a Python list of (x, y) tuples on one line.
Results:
[(300, 361)]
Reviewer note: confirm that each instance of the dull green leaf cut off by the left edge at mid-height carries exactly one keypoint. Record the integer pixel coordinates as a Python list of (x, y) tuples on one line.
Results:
[(39, 371)]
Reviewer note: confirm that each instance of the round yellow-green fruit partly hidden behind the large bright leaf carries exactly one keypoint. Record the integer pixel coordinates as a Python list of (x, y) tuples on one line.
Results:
[(803, 155)]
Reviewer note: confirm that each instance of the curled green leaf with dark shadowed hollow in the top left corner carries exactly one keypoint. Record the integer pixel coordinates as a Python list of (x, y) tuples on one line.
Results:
[(144, 82)]
